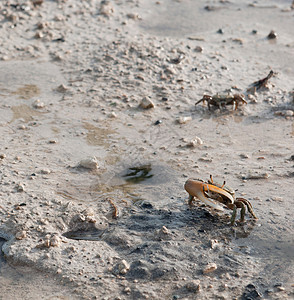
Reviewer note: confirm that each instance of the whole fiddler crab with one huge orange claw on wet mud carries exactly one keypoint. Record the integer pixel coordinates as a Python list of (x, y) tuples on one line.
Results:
[(211, 192)]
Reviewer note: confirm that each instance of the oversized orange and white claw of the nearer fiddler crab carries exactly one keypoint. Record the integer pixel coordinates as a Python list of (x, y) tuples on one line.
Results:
[(195, 188)]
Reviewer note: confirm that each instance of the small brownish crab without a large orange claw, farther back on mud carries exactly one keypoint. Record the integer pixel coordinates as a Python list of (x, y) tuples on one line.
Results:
[(221, 101)]
